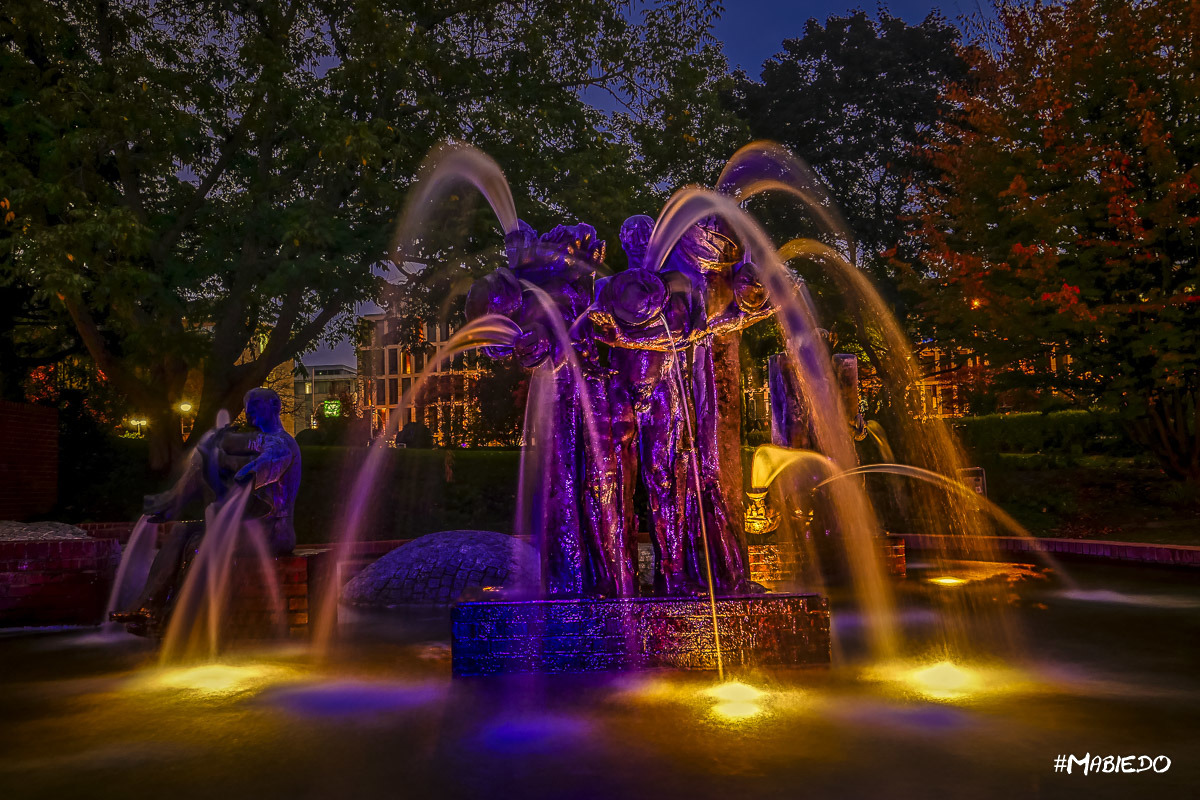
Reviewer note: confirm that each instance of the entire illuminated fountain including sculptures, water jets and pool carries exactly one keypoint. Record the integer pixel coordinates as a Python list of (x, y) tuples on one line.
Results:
[(634, 389)]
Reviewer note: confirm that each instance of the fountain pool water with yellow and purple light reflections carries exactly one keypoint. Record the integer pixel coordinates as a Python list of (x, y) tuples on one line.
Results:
[(1114, 673)]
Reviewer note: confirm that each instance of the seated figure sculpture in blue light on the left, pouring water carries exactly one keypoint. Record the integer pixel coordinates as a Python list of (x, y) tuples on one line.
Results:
[(265, 458)]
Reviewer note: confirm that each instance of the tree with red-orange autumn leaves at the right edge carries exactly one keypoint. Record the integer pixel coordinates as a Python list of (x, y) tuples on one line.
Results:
[(1065, 220)]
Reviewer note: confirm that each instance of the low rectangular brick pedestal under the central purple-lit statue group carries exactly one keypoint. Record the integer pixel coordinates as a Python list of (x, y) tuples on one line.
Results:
[(559, 636)]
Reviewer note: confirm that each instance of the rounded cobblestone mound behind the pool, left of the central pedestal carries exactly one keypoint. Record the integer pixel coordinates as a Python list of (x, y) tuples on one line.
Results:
[(439, 569)]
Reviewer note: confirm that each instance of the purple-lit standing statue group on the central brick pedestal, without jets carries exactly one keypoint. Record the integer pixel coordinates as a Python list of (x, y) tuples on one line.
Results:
[(647, 387)]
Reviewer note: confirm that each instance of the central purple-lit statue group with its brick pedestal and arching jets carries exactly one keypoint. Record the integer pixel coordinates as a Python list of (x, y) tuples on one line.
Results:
[(638, 380)]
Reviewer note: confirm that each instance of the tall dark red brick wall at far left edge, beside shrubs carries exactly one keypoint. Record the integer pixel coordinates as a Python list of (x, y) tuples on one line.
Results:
[(29, 460)]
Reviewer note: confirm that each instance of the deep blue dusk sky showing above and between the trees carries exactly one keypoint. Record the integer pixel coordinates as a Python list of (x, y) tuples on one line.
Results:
[(753, 32)]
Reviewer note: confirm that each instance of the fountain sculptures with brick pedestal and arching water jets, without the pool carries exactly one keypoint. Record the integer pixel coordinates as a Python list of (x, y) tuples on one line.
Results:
[(637, 388)]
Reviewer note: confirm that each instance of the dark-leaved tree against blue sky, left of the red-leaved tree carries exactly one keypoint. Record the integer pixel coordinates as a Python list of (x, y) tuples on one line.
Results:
[(856, 99)]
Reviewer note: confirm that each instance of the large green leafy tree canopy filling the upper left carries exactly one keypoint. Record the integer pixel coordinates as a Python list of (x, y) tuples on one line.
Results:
[(185, 179)]
